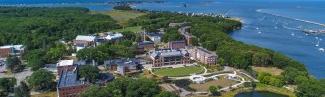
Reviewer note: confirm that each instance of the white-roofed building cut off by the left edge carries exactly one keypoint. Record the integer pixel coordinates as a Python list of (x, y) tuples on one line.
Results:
[(13, 50)]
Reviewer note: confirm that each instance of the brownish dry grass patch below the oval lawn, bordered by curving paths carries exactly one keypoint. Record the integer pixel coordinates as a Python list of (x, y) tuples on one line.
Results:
[(222, 82)]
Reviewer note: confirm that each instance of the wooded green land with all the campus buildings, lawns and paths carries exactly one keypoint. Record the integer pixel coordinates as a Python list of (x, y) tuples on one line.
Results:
[(125, 52)]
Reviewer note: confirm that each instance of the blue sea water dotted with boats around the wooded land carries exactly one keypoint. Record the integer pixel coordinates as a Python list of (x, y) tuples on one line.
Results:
[(271, 24)]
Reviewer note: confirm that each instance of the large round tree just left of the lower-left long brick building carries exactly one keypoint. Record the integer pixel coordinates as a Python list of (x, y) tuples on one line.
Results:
[(41, 80)]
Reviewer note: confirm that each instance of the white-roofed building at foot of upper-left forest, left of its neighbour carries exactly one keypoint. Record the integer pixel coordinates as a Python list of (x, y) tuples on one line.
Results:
[(83, 41)]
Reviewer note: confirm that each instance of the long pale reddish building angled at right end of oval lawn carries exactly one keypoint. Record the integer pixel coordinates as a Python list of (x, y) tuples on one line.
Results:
[(203, 55)]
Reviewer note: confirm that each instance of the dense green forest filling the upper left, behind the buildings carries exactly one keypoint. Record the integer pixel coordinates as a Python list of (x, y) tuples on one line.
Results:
[(38, 27)]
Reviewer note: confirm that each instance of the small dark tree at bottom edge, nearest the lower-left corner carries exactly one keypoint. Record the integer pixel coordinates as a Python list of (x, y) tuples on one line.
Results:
[(22, 90)]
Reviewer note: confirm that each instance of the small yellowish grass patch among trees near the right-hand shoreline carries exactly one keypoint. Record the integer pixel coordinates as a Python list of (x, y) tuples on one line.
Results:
[(271, 70)]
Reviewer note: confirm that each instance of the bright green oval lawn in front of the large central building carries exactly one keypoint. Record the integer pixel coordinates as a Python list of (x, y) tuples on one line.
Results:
[(177, 72)]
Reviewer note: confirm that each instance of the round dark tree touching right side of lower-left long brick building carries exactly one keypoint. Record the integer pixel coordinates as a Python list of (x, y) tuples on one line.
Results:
[(89, 72)]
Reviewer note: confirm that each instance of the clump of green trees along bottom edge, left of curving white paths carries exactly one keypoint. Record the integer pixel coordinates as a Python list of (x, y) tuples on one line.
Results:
[(125, 87)]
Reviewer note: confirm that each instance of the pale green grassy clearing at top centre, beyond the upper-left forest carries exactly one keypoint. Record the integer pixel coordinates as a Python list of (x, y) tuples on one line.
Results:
[(122, 17)]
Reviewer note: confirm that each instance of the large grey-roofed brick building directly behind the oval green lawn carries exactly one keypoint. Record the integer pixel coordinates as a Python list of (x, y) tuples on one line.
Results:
[(165, 57)]
